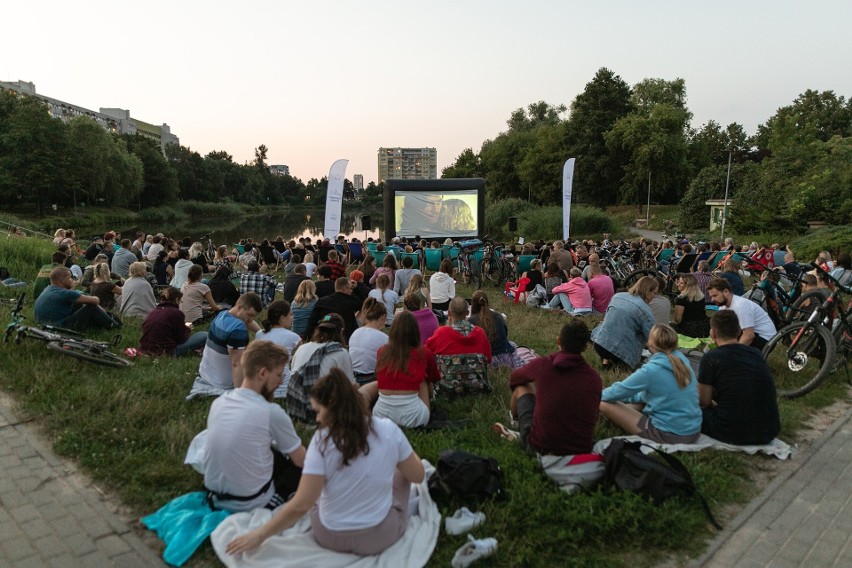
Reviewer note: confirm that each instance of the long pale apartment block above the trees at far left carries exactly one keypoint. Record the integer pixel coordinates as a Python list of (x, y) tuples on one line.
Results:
[(113, 119)]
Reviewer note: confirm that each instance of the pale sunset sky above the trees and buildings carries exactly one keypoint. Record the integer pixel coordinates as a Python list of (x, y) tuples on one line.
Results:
[(318, 81)]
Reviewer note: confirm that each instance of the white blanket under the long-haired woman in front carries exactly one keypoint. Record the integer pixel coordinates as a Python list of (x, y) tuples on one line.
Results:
[(296, 546)]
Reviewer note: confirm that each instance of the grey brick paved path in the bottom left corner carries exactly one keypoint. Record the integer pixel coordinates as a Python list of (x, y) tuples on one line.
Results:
[(49, 516)]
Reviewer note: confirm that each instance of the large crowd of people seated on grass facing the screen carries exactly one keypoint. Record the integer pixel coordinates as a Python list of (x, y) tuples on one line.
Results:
[(357, 349)]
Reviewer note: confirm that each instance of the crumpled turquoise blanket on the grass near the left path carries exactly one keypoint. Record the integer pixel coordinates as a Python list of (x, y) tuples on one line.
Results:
[(183, 524)]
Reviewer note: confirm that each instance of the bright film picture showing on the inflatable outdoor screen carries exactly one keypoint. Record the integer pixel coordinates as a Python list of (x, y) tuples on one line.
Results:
[(436, 214)]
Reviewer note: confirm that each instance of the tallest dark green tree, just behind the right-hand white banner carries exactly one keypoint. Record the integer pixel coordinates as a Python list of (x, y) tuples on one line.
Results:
[(598, 173)]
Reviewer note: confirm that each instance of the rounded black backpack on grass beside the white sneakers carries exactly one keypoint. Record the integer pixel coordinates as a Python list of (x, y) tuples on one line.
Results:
[(466, 476)]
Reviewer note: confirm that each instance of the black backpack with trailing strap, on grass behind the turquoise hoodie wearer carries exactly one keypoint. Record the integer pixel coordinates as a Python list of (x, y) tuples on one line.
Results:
[(628, 469)]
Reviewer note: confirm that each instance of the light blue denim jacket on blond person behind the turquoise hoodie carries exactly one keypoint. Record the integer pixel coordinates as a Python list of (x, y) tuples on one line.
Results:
[(624, 330)]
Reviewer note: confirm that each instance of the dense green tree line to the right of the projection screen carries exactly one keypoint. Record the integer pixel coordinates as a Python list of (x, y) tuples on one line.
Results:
[(796, 168)]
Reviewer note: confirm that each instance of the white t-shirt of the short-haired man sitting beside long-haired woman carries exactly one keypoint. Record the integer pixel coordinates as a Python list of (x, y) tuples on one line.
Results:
[(241, 430)]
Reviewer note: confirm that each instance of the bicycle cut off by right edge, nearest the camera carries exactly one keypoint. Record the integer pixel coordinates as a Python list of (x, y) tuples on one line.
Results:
[(804, 353)]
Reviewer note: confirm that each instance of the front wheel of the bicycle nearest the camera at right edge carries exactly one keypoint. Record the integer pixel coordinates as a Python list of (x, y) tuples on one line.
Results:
[(800, 358)]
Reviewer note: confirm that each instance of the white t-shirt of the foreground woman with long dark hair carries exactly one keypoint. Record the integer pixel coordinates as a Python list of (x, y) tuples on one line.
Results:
[(359, 495)]
